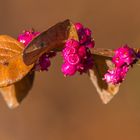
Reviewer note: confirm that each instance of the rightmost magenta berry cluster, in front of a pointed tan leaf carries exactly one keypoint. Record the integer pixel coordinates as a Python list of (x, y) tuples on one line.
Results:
[(124, 58)]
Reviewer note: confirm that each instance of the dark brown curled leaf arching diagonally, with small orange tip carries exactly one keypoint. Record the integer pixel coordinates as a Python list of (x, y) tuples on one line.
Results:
[(51, 39)]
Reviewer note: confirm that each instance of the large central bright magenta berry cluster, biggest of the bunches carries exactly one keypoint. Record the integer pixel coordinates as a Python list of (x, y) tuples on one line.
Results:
[(76, 54)]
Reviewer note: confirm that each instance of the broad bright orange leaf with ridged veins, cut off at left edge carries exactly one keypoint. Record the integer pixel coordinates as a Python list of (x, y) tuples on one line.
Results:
[(12, 66)]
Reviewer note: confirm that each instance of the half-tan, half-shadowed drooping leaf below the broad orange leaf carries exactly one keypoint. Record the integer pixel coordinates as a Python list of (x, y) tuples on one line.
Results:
[(15, 93)]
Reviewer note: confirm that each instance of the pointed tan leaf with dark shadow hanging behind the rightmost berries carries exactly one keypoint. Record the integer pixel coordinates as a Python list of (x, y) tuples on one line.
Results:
[(101, 65)]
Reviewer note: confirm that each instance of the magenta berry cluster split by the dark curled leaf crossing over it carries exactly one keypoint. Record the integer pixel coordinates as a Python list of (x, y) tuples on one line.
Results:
[(44, 61)]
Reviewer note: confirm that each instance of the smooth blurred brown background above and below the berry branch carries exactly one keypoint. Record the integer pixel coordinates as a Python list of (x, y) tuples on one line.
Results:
[(61, 108)]
